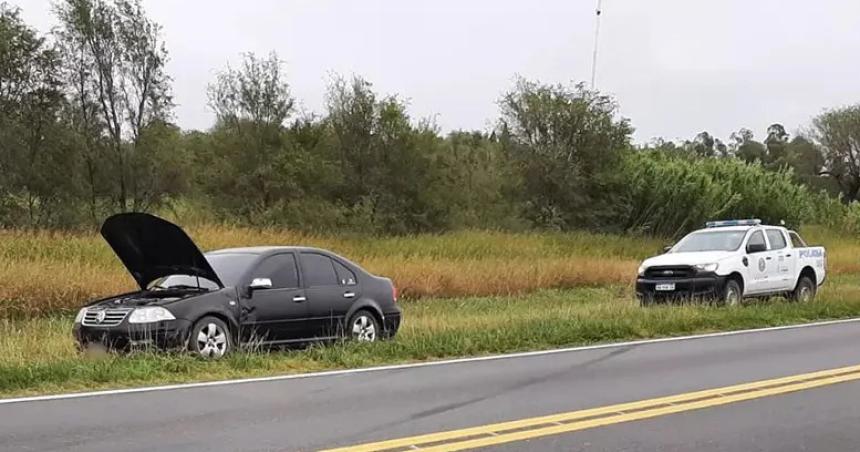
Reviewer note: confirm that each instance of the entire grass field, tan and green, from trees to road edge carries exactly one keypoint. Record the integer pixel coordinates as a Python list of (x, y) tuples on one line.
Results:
[(464, 293)]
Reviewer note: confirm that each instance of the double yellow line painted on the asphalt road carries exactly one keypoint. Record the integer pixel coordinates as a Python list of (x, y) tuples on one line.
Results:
[(505, 432)]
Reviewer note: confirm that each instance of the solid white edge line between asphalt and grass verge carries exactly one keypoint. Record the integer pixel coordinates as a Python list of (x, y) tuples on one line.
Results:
[(331, 373)]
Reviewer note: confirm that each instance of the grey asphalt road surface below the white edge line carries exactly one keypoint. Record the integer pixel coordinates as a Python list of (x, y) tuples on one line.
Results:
[(347, 409)]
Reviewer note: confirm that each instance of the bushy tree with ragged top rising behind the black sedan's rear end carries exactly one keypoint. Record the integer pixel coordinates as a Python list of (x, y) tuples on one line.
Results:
[(389, 165)]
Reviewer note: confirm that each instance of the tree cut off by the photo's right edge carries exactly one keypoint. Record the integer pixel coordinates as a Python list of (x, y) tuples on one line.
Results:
[(837, 131)]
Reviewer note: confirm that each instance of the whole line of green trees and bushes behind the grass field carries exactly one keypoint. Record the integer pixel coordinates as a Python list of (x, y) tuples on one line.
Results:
[(86, 130)]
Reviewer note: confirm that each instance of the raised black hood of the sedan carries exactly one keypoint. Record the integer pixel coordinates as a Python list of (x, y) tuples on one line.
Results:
[(151, 248)]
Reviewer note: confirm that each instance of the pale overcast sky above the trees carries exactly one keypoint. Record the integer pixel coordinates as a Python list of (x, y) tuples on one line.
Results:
[(677, 67)]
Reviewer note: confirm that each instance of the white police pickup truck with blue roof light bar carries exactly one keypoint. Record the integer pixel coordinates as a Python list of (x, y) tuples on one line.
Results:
[(731, 260)]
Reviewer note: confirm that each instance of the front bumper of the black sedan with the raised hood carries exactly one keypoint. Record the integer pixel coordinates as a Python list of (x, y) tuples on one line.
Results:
[(163, 335)]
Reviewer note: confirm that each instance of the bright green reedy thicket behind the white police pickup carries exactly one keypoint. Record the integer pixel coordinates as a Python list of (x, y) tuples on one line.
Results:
[(669, 195)]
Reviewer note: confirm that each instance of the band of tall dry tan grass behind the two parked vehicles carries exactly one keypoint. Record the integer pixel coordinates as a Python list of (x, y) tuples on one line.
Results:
[(45, 272)]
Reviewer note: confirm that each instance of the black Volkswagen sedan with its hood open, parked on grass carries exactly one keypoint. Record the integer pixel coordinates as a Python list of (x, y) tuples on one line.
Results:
[(210, 303)]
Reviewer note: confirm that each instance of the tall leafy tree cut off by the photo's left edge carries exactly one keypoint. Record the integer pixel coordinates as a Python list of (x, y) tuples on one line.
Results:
[(35, 184)]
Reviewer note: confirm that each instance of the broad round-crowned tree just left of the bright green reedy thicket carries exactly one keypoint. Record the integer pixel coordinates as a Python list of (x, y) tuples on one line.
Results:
[(566, 142)]
